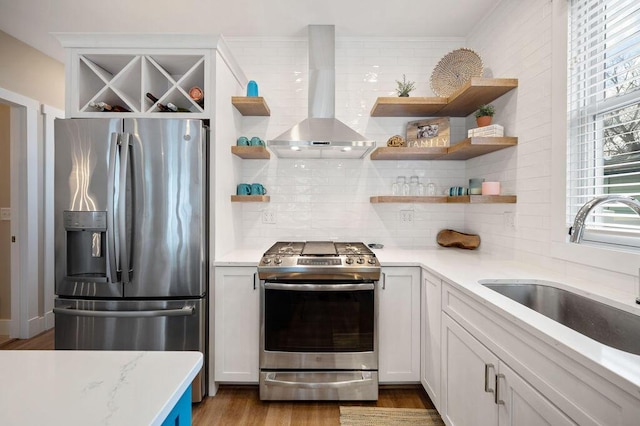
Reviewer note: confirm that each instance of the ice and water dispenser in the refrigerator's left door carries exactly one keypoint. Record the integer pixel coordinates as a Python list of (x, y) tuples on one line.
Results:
[(86, 245)]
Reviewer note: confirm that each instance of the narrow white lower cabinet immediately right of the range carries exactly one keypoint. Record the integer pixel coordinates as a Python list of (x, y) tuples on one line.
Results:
[(399, 325)]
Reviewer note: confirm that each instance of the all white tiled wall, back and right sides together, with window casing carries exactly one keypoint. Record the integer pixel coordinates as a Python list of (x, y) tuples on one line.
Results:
[(330, 199)]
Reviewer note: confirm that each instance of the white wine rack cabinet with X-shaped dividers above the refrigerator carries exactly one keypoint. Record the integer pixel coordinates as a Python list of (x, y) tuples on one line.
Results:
[(120, 69)]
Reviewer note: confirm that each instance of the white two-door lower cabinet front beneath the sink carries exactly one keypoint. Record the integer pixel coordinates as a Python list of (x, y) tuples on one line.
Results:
[(489, 357)]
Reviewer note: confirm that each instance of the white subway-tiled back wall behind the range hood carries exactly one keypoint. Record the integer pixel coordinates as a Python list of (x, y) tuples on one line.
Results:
[(329, 199)]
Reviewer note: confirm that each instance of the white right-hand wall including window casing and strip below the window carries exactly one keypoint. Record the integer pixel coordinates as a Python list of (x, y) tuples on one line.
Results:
[(524, 40)]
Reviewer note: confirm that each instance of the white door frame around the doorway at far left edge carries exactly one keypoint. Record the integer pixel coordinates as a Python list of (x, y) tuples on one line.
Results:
[(24, 209)]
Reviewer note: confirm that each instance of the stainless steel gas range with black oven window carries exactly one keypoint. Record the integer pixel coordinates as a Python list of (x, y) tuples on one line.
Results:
[(319, 310)]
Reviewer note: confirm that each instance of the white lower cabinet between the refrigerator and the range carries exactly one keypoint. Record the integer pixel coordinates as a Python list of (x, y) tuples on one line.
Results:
[(236, 322)]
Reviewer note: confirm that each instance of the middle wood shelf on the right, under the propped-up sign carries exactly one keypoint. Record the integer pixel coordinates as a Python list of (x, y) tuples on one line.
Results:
[(463, 150)]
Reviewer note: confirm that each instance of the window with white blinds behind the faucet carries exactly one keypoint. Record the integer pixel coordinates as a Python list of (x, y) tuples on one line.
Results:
[(604, 116)]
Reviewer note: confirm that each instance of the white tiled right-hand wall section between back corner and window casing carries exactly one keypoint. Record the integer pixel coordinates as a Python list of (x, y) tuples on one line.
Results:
[(515, 41)]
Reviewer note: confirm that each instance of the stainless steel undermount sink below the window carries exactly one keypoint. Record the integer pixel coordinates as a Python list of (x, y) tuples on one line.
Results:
[(606, 324)]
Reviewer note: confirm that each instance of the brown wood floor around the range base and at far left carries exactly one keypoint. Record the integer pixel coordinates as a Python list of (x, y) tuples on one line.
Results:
[(241, 405)]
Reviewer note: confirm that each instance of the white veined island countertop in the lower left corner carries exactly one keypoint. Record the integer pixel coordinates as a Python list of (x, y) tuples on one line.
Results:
[(92, 387)]
